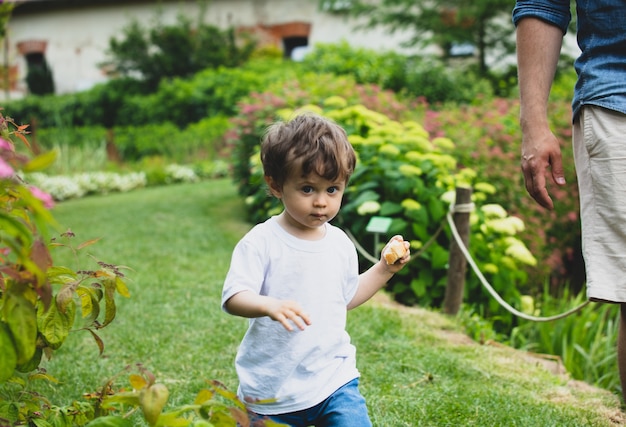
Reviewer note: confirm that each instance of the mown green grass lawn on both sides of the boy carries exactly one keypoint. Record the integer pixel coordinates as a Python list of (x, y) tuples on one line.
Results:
[(417, 370)]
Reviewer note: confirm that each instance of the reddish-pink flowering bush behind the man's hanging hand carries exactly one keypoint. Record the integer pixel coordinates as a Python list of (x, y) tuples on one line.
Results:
[(488, 139)]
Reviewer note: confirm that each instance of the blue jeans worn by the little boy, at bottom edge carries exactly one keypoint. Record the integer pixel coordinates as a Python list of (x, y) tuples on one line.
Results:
[(344, 408)]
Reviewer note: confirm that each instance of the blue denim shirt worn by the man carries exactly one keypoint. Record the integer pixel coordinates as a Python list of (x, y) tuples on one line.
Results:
[(601, 35)]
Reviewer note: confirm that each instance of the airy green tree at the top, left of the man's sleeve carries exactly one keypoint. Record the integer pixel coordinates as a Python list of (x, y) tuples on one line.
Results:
[(483, 24)]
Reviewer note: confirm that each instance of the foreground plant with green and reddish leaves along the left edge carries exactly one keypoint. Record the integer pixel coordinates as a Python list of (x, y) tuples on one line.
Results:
[(40, 303)]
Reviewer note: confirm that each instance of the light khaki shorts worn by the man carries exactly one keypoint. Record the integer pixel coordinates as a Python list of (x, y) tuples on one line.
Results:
[(599, 141)]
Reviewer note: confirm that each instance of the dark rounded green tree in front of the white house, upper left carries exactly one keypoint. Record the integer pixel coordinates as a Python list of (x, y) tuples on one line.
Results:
[(179, 50)]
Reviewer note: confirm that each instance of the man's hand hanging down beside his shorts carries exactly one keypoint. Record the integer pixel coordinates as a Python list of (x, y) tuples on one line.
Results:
[(540, 154)]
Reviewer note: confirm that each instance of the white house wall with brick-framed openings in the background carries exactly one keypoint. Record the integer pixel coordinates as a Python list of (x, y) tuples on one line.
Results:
[(73, 35)]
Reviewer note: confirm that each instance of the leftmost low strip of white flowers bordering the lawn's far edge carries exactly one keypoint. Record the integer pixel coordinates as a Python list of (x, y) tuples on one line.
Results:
[(70, 187)]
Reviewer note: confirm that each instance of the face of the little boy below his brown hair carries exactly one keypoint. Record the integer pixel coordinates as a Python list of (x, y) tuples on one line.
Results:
[(309, 202)]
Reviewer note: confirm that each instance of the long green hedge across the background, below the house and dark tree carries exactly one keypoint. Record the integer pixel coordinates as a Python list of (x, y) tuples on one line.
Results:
[(124, 102)]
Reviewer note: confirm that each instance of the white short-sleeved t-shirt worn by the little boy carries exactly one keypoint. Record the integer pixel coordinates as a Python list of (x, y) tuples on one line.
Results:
[(281, 371)]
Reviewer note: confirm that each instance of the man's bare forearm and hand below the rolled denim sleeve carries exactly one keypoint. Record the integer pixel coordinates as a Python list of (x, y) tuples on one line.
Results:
[(538, 49)]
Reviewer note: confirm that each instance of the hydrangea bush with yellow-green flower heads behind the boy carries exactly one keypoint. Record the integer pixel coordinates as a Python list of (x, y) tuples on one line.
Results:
[(404, 174)]
